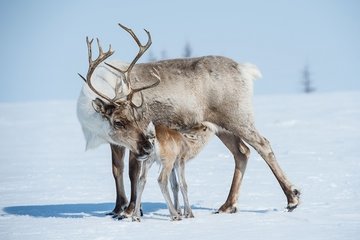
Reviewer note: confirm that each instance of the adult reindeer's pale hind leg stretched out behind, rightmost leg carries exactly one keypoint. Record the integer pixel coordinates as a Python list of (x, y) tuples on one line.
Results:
[(262, 146)]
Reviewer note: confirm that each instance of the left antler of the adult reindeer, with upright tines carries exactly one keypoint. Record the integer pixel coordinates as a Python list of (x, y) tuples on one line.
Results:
[(94, 63)]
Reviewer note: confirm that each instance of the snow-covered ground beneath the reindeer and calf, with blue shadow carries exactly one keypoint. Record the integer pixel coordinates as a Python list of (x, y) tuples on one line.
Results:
[(51, 189)]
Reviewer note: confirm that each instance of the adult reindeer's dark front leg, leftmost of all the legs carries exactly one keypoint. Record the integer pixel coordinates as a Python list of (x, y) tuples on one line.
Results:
[(117, 155)]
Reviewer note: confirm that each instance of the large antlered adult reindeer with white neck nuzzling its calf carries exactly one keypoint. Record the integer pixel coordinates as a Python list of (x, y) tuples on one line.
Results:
[(210, 89)]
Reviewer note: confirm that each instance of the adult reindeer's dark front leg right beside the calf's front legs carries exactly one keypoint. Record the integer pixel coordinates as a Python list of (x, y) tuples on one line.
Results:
[(134, 171)]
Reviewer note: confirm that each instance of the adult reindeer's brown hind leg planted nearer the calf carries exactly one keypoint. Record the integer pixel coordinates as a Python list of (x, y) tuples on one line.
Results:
[(241, 154)]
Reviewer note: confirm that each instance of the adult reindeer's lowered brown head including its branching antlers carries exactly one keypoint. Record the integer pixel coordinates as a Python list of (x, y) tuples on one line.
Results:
[(123, 114)]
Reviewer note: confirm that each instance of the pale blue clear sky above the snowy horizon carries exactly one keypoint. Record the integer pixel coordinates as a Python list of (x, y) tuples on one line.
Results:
[(43, 47)]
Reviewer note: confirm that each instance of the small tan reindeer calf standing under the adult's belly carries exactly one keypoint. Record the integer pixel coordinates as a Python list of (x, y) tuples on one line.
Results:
[(172, 149)]
